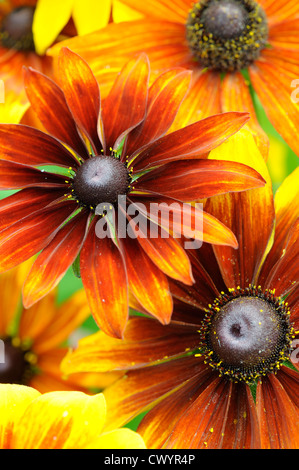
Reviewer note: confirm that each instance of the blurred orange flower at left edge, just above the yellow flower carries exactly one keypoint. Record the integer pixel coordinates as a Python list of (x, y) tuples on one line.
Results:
[(34, 341)]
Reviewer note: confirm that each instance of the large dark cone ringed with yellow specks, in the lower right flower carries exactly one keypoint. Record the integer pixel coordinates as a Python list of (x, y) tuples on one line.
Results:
[(246, 336)]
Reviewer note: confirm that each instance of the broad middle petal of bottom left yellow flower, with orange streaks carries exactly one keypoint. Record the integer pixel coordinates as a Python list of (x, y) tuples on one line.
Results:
[(58, 420)]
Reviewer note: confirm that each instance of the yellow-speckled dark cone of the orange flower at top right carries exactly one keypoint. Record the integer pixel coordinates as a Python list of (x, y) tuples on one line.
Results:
[(226, 35)]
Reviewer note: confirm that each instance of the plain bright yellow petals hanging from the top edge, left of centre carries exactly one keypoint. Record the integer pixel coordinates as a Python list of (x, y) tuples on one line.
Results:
[(88, 16)]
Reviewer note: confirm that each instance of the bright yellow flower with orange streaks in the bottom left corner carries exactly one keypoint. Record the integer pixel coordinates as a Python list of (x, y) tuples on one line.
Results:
[(58, 420)]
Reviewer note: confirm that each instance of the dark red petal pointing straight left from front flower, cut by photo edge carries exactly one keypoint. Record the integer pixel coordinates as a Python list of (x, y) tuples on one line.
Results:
[(16, 176)]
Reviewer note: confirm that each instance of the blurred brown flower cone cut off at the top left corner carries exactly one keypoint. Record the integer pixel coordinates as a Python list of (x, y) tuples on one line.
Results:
[(16, 29)]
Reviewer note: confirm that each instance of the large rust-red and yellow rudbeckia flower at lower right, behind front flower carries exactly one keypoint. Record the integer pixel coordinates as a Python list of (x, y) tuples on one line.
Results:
[(223, 373)]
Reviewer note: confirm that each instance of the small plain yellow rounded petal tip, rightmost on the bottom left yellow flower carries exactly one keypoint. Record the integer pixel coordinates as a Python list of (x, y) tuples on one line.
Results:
[(118, 439)]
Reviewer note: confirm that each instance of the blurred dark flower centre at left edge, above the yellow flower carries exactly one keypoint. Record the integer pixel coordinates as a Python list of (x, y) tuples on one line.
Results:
[(15, 365)]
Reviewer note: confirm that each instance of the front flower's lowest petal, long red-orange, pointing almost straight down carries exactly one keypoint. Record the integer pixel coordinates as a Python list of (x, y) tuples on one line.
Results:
[(105, 280)]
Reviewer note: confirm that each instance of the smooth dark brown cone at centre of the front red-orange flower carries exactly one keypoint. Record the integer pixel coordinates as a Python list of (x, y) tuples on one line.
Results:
[(101, 179)]
